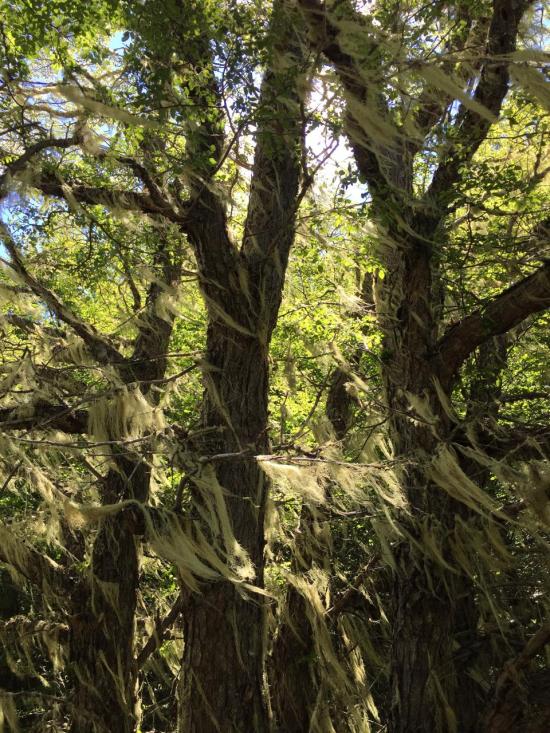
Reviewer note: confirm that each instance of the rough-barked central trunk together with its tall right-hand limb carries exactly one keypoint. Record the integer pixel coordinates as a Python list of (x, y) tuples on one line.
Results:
[(222, 685)]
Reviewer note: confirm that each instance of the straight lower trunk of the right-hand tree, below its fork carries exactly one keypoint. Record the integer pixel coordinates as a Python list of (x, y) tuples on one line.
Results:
[(422, 674)]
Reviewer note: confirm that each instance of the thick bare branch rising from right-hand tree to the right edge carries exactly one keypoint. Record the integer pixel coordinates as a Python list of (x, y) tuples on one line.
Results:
[(499, 315)]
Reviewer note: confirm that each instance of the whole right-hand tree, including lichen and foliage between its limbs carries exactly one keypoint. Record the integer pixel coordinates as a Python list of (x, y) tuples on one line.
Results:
[(422, 360)]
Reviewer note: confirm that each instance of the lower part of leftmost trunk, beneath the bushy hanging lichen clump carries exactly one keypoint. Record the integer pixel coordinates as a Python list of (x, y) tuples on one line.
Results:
[(101, 641)]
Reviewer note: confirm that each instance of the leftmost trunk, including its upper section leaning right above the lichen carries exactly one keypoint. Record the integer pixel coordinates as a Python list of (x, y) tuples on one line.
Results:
[(102, 664)]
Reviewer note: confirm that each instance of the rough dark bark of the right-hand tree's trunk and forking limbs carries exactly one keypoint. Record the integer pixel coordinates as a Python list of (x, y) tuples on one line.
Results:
[(426, 606)]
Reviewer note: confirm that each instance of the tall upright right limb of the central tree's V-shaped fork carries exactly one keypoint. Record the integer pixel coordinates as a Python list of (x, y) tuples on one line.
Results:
[(271, 216)]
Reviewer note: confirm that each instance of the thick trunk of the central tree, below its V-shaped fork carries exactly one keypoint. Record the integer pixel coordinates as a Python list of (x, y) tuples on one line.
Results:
[(226, 693)]
